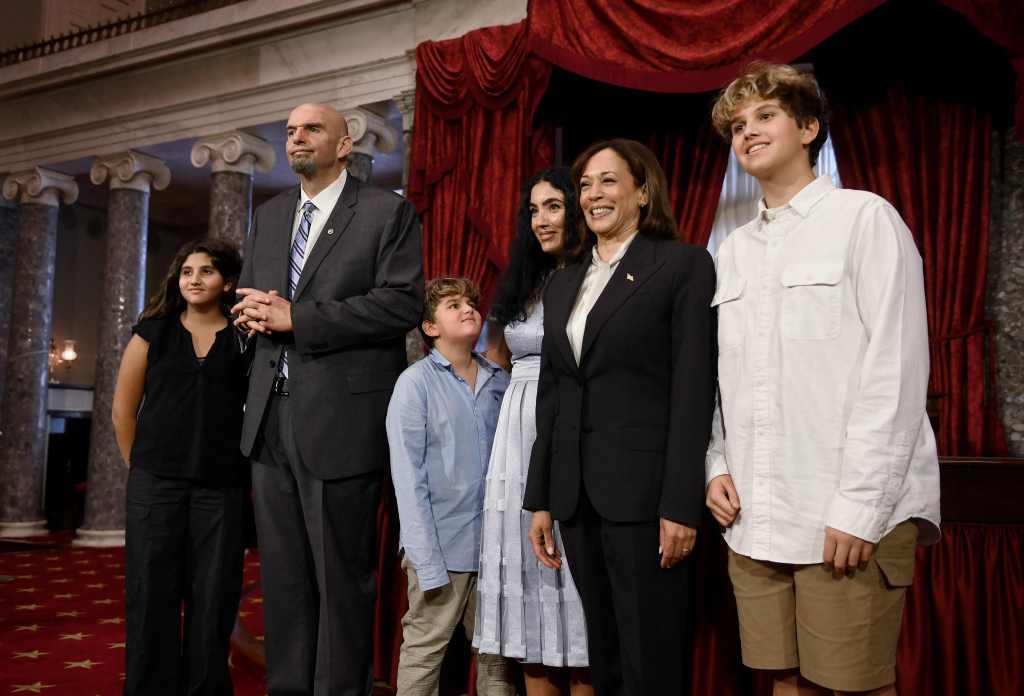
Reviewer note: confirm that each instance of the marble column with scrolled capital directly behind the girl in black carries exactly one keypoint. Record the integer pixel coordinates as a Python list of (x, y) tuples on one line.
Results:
[(132, 176)]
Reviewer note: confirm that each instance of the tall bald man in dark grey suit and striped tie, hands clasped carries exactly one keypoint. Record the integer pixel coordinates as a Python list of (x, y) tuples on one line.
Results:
[(333, 280)]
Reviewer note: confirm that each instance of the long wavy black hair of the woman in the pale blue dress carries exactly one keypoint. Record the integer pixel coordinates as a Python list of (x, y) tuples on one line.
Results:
[(521, 285)]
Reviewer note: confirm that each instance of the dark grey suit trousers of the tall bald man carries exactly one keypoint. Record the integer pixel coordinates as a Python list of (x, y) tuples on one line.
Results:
[(318, 553)]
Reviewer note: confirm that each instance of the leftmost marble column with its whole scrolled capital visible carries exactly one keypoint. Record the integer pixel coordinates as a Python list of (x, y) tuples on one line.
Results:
[(23, 417)]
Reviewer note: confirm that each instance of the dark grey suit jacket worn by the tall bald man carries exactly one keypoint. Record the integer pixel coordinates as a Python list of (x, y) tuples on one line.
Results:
[(360, 293)]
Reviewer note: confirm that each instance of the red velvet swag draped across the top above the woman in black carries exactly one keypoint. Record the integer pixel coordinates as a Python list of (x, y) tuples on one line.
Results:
[(680, 46)]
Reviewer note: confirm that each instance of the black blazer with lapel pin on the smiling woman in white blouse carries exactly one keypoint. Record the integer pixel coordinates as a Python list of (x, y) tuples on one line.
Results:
[(633, 420)]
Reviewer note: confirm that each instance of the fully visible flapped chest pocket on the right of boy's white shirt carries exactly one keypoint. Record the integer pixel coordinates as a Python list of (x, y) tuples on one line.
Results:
[(813, 294)]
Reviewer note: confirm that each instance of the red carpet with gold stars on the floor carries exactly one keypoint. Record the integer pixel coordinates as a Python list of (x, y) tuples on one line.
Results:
[(62, 623)]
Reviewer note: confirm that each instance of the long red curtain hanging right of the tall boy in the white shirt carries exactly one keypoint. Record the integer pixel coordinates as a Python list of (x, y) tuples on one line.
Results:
[(927, 150)]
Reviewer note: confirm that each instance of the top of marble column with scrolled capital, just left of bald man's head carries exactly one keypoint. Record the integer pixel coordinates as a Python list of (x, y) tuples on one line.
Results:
[(233, 157)]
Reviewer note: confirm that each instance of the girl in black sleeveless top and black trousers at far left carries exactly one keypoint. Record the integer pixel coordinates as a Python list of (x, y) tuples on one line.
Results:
[(186, 367)]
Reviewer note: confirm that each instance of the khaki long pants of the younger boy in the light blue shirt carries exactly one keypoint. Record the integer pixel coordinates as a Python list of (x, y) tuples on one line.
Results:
[(426, 630)]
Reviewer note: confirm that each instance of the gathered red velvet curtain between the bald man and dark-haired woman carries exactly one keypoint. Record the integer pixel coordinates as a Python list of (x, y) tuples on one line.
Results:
[(474, 146)]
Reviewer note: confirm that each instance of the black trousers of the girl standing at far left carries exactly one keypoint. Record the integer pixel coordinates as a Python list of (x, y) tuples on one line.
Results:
[(184, 544)]
